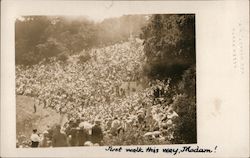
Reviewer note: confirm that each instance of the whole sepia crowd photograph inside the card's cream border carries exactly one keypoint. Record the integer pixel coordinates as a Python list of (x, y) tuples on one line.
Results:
[(105, 81)]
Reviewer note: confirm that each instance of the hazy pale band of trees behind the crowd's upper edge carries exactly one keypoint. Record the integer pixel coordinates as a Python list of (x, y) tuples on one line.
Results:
[(41, 37)]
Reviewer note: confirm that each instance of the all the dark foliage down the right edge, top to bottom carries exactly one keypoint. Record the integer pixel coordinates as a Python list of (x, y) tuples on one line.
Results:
[(169, 45)]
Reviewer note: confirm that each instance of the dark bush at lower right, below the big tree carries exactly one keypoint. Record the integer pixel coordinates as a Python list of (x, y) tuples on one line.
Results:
[(185, 105)]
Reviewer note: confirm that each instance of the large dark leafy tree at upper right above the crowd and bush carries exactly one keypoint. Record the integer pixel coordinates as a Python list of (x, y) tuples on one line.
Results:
[(169, 44)]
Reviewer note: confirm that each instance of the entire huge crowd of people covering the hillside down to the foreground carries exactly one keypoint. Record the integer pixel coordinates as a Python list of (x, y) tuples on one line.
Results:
[(90, 94)]
